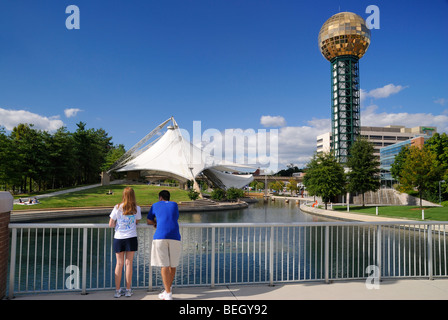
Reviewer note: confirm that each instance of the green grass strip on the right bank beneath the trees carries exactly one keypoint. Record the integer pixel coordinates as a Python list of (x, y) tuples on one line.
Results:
[(404, 212)]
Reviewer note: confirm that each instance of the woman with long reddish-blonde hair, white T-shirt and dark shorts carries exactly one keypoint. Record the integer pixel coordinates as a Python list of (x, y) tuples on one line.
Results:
[(124, 218)]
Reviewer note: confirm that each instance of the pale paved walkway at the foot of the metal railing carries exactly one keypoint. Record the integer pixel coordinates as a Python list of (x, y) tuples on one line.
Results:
[(415, 289)]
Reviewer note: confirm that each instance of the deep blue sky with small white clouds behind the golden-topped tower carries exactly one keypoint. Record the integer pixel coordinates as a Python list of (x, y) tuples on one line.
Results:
[(227, 63)]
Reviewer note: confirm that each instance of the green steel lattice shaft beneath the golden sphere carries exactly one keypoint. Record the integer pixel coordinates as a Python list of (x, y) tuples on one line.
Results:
[(345, 105)]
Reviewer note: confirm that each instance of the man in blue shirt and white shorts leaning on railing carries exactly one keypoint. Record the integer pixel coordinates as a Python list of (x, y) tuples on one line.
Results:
[(166, 245)]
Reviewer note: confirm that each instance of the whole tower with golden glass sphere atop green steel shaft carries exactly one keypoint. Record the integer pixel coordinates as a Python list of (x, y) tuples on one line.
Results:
[(343, 40)]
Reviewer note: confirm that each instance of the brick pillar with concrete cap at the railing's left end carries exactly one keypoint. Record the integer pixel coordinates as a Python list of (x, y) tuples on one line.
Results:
[(6, 204)]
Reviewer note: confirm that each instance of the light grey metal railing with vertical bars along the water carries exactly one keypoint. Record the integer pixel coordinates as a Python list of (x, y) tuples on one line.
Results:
[(62, 257)]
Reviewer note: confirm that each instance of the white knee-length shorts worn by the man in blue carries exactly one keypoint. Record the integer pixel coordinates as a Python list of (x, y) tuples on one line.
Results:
[(165, 253)]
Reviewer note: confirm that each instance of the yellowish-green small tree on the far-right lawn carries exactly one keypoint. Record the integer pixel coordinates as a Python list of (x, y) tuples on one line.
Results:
[(420, 171)]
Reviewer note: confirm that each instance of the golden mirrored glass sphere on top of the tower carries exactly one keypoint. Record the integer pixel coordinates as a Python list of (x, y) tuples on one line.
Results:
[(345, 33)]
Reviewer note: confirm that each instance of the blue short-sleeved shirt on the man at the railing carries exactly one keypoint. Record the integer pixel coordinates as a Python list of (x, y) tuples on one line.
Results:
[(166, 213)]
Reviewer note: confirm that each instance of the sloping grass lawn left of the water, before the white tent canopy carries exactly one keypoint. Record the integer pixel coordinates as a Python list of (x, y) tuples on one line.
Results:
[(97, 197)]
